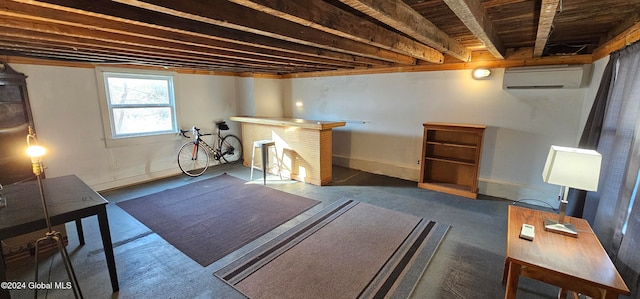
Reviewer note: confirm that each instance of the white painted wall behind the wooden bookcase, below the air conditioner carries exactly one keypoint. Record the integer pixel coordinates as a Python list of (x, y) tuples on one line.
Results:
[(385, 113)]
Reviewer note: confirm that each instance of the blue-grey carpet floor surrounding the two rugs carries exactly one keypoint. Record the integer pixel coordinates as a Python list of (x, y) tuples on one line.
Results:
[(468, 264)]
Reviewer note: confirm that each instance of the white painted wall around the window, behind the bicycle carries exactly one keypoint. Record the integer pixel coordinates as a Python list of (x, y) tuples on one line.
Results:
[(65, 107)]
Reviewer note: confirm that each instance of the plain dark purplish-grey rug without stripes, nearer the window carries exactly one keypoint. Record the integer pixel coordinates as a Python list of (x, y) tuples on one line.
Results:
[(209, 219)]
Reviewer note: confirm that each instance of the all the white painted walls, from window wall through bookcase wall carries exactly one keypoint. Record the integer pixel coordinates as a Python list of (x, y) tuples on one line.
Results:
[(384, 115)]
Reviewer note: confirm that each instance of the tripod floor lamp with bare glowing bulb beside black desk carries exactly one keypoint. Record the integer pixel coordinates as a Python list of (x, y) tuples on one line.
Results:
[(36, 152)]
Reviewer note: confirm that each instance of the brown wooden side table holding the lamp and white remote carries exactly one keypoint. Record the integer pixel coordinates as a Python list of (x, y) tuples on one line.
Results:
[(576, 264)]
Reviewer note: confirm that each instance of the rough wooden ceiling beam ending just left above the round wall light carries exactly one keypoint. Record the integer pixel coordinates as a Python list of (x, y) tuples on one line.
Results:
[(402, 17)]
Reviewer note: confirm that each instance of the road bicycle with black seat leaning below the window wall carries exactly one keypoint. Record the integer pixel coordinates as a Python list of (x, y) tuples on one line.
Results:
[(194, 157)]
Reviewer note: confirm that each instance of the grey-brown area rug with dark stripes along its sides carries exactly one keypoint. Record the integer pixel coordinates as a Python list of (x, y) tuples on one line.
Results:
[(348, 250)]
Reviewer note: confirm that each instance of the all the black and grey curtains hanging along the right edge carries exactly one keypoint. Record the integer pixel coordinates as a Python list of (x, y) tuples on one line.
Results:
[(613, 129)]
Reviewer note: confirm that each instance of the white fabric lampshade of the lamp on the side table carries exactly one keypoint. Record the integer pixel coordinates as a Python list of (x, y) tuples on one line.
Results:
[(572, 167)]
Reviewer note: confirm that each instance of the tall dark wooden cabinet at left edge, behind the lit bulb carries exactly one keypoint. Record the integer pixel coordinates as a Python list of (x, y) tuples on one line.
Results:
[(15, 118)]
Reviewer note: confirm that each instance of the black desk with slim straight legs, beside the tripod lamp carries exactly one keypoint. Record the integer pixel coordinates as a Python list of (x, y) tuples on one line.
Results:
[(68, 199)]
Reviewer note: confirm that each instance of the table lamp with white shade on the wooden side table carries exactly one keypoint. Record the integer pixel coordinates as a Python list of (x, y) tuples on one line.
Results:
[(570, 168)]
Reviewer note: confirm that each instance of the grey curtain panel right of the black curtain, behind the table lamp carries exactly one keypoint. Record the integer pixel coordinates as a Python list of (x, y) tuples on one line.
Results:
[(618, 145)]
